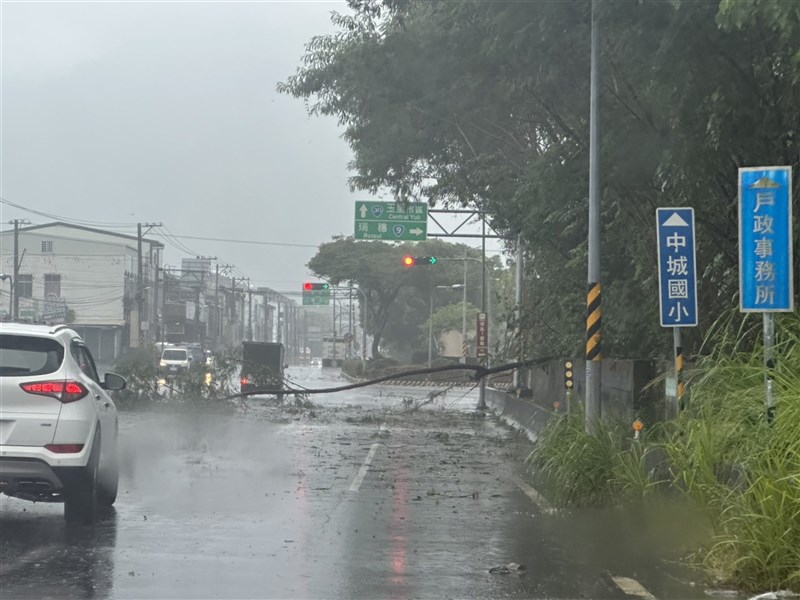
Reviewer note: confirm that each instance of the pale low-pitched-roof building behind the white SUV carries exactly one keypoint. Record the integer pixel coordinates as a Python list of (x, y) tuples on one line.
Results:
[(86, 277)]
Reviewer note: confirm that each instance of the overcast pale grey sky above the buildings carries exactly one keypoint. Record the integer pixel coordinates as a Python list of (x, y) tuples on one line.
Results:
[(154, 111)]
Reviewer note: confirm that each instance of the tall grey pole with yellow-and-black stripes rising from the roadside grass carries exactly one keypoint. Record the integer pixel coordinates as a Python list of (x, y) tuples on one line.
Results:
[(593, 298)]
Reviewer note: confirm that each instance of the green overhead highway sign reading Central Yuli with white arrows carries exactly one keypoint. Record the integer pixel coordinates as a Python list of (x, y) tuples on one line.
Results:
[(391, 221)]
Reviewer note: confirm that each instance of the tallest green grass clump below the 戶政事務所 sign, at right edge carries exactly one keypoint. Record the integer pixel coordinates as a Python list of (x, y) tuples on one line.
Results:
[(727, 457)]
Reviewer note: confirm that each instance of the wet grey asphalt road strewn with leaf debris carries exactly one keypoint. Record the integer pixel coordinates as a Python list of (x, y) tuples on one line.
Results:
[(356, 497)]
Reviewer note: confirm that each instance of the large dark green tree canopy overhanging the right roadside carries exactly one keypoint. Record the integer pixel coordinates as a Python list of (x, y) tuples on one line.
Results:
[(486, 104)]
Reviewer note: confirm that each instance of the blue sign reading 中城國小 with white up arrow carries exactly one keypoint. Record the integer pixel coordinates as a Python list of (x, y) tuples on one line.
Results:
[(677, 268)]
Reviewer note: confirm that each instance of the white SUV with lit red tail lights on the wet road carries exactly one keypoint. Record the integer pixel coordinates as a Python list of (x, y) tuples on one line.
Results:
[(58, 425)]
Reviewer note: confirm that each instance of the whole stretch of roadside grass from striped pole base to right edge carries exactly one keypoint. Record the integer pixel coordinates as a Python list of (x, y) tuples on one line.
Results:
[(721, 454)]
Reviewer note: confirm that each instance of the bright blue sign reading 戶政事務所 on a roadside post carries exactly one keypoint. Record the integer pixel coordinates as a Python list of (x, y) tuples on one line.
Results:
[(765, 239)]
